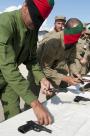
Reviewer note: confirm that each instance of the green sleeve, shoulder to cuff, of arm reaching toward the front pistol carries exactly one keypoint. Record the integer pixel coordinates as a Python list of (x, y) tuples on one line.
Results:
[(8, 65)]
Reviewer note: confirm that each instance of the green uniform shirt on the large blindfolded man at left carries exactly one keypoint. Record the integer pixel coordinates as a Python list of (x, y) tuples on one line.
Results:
[(17, 45)]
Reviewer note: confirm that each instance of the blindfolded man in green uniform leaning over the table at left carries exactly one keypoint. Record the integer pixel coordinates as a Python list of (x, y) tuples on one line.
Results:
[(18, 38)]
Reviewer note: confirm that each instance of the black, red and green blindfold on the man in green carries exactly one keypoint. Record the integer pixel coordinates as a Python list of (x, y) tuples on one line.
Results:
[(39, 10)]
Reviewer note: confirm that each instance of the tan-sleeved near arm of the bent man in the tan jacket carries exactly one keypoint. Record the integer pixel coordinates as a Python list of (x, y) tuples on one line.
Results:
[(46, 55)]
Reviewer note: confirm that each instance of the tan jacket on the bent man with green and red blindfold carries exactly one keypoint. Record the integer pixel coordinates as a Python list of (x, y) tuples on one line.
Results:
[(54, 58)]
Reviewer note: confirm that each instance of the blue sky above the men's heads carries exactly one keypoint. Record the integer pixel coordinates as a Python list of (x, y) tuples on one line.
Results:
[(68, 8)]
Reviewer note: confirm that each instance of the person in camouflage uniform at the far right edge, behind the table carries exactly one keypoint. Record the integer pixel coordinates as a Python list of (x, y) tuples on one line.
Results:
[(82, 54)]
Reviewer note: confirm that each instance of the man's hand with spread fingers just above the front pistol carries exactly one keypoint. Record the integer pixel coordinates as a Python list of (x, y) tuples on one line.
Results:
[(43, 116)]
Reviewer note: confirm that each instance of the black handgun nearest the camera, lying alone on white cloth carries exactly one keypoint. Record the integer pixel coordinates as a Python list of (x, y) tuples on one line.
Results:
[(31, 125)]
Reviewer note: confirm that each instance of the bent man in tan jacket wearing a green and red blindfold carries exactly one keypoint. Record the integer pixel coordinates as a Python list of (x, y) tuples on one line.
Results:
[(60, 48)]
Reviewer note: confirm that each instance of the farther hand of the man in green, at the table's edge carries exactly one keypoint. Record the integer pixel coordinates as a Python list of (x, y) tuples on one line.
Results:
[(46, 87)]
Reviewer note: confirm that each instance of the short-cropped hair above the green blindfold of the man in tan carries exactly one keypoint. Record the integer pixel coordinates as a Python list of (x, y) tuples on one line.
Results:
[(73, 22)]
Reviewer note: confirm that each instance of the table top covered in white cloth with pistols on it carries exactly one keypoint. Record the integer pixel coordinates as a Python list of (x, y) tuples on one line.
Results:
[(70, 118)]
